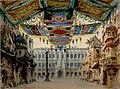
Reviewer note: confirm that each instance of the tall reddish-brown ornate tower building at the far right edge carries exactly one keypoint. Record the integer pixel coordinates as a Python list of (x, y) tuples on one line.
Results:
[(111, 50)]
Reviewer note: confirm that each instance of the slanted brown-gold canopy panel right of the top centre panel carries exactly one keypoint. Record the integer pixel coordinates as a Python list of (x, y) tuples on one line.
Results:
[(92, 10)]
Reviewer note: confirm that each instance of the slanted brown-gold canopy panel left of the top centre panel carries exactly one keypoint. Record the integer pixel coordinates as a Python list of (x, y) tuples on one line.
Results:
[(23, 12)]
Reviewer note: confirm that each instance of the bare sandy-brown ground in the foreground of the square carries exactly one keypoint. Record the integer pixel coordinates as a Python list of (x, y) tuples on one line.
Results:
[(74, 83)]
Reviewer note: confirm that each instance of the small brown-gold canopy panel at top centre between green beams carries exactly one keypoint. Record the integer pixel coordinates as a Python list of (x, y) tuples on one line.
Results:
[(58, 3)]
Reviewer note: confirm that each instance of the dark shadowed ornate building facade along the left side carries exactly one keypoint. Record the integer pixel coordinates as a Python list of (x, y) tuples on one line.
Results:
[(13, 50)]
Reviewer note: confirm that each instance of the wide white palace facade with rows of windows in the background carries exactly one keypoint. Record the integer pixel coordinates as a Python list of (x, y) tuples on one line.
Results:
[(62, 62)]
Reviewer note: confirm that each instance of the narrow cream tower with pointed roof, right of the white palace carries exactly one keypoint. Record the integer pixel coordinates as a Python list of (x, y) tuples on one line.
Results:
[(94, 59)]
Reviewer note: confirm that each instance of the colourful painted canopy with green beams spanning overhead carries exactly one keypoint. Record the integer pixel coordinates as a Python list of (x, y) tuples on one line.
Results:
[(57, 18)]
